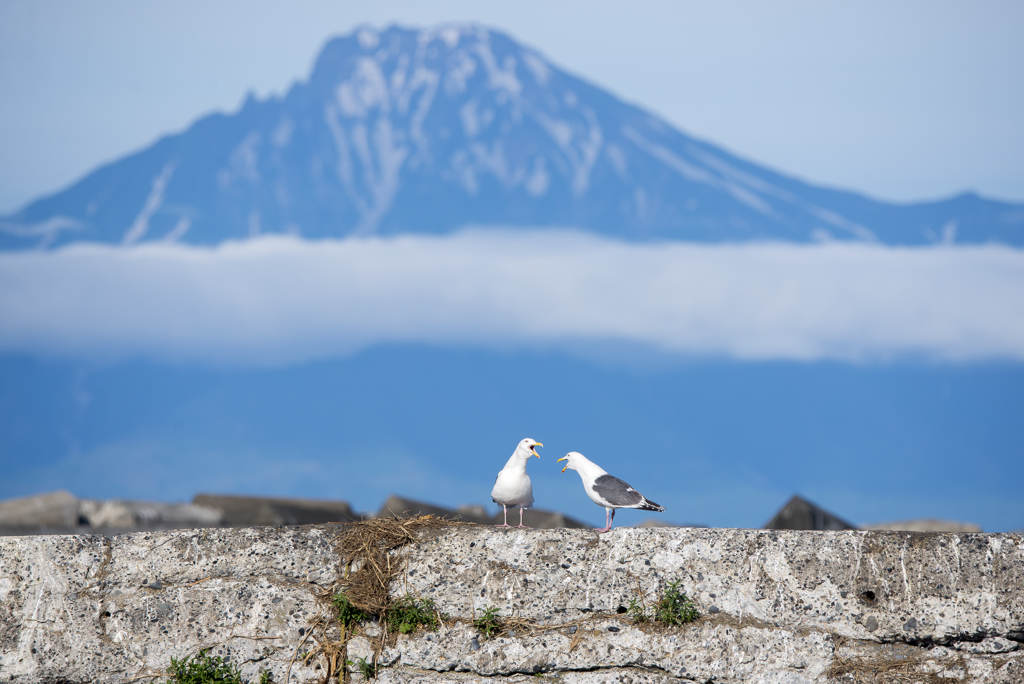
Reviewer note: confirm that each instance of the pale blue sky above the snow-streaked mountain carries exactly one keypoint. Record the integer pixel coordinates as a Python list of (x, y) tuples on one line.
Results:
[(907, 101)]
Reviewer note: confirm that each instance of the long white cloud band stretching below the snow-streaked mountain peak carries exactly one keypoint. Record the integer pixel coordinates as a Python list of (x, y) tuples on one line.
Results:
[(279, 301)]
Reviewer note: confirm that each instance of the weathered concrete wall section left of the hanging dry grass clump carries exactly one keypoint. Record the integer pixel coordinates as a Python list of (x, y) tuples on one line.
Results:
[(91, 609)]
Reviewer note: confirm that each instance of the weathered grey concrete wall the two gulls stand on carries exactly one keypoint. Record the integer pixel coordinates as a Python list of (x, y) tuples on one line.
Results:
[(780, 607)]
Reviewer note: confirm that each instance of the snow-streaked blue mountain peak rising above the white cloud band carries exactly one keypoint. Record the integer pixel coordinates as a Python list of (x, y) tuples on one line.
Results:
[(430, 132)]
